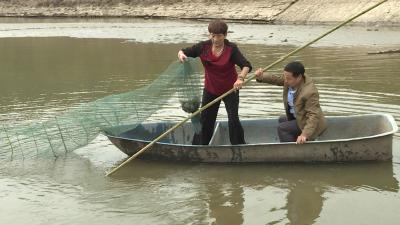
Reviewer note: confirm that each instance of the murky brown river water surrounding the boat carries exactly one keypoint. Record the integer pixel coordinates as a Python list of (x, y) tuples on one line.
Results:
[(47, 65)]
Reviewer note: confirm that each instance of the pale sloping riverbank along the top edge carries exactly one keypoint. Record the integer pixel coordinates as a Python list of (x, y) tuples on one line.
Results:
[(254, 11)]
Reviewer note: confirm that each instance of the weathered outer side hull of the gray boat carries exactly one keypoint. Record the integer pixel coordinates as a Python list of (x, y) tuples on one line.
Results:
[(378, 149)]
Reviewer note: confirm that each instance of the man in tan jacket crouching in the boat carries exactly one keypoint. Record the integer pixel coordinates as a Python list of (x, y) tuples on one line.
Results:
[(304, 120)]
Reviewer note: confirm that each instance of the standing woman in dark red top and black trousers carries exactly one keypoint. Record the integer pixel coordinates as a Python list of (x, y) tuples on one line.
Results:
[(219, 57)]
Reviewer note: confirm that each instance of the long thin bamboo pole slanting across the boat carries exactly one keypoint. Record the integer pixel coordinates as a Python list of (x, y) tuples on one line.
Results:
[(245, 82)]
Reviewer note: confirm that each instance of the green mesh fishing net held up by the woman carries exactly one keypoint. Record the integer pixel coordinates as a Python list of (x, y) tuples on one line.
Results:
[(79, 125)]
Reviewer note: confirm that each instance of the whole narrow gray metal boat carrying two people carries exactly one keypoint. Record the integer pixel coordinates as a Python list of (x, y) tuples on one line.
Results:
[(348, 138)]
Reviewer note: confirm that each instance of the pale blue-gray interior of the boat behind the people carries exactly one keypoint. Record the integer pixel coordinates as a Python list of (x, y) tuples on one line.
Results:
[(258, 131)]
